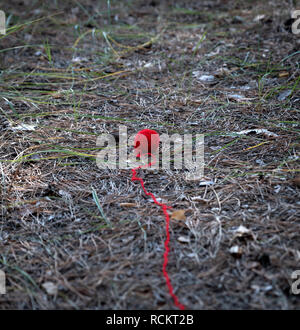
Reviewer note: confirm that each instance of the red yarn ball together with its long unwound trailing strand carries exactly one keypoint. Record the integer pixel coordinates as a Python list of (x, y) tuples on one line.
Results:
[(164, 207)]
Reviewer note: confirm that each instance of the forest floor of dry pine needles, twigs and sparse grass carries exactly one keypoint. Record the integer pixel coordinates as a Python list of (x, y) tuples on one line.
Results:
[(71, 70)]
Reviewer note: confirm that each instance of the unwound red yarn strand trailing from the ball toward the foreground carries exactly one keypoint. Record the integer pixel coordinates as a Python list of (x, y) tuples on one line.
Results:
[(167, 241)]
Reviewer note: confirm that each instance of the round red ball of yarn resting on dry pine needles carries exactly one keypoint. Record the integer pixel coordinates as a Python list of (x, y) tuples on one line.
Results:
[(146, 141)]
